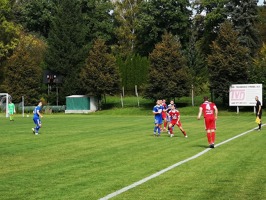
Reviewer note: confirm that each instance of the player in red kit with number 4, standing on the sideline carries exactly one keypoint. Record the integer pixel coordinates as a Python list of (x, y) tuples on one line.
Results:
[(210, 113)]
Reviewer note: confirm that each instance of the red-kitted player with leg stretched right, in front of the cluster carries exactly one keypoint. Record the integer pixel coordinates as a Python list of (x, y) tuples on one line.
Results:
[(175, 120)]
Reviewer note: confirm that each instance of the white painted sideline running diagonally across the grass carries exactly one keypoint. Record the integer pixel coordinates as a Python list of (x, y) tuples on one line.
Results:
[(169, 168)]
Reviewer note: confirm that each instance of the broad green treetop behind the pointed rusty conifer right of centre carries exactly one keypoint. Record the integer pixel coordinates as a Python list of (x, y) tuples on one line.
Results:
[(157, 16)]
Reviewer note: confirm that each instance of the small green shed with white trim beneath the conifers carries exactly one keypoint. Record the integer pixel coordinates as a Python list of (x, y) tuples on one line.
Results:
[(80, 104)]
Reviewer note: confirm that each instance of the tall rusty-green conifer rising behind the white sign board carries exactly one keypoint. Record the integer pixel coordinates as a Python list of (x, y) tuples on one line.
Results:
[(228, 63)]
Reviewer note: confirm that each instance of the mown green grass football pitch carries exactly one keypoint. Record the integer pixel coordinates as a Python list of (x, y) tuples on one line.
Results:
[(92, 156)]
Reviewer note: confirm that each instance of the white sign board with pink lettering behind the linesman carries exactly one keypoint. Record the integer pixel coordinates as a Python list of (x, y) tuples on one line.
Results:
[(244, 94)]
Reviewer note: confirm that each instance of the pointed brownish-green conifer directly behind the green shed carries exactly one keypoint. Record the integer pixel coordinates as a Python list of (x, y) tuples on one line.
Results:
[(100, 76)]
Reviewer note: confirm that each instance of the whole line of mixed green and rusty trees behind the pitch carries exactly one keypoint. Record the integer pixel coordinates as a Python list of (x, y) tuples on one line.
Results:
[(97, 47)]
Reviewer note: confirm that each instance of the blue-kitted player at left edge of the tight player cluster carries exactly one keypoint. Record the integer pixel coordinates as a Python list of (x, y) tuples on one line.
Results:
[(158, 120)]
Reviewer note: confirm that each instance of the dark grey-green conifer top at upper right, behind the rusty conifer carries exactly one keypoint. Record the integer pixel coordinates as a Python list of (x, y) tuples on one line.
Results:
[(244, 15)]
